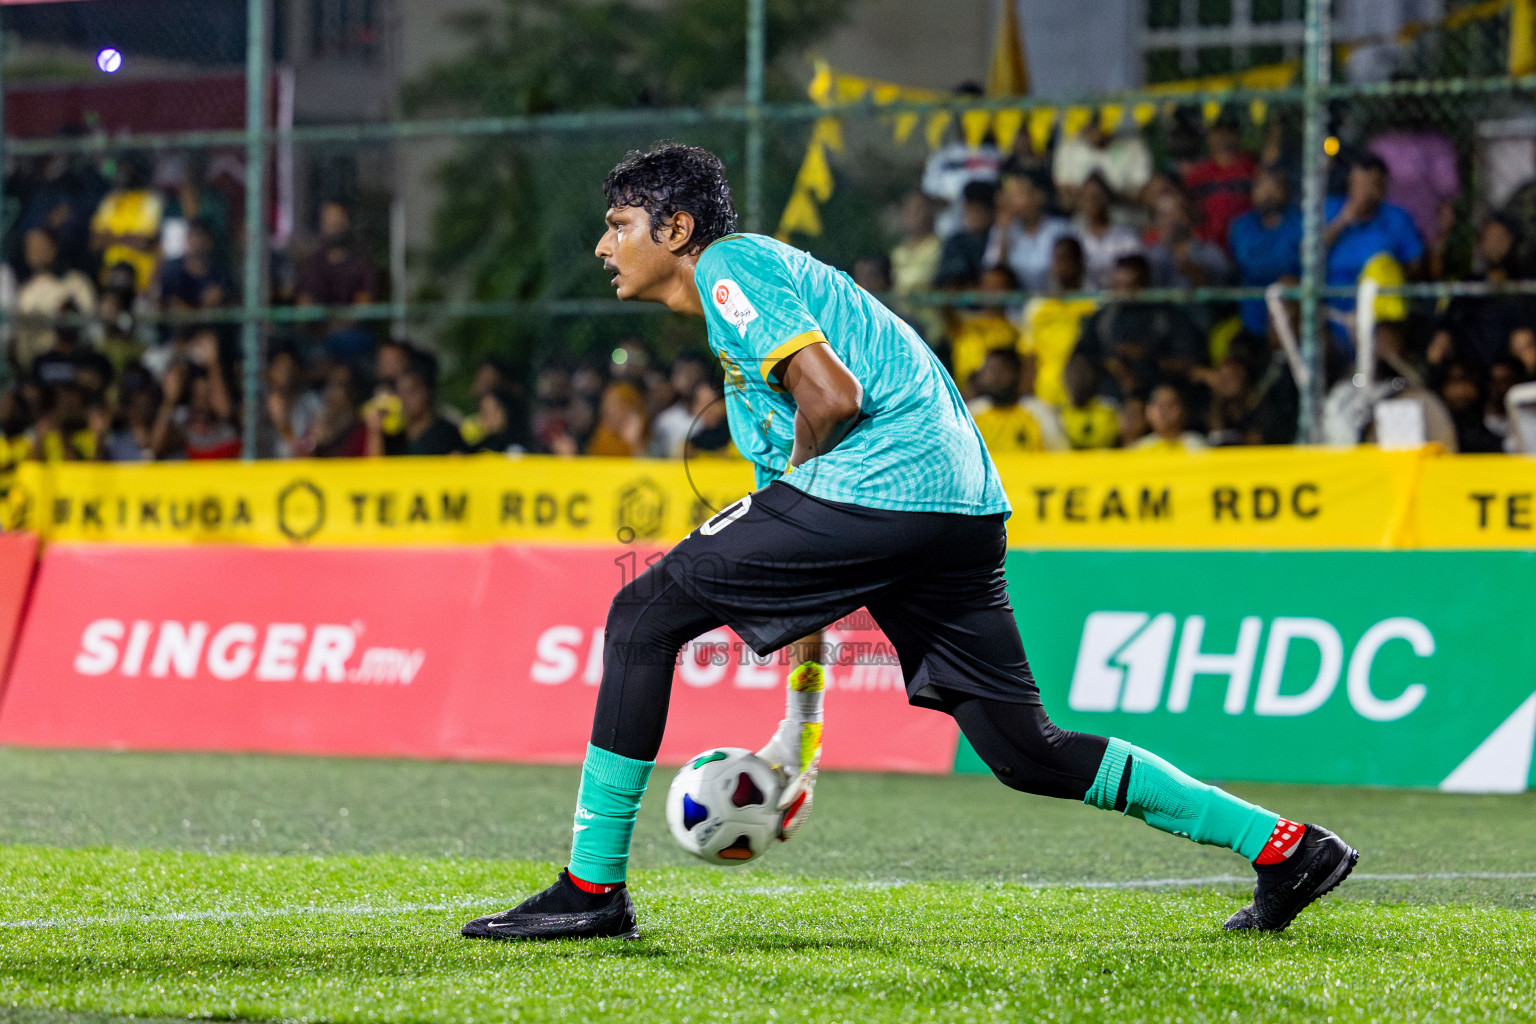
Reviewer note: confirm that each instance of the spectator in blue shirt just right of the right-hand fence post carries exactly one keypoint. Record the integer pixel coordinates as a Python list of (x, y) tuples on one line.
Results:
[(1362, 225)]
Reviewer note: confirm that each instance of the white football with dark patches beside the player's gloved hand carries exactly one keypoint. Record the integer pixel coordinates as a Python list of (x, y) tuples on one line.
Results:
[(721, 807)]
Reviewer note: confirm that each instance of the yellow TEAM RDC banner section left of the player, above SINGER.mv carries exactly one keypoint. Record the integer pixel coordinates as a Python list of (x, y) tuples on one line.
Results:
[(472, 500)]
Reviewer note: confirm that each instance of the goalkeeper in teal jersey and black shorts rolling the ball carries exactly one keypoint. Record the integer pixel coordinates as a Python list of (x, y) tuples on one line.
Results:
[(875, 492)]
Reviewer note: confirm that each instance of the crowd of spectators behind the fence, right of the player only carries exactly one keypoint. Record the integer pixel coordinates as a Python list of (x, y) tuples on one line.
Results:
[(1094, 222)]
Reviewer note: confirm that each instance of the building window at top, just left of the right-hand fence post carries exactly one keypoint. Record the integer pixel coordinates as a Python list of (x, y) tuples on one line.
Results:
[(1190, 39)]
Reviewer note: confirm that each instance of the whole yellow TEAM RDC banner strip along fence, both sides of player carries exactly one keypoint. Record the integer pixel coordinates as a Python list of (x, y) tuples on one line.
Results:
[(1222, 500)]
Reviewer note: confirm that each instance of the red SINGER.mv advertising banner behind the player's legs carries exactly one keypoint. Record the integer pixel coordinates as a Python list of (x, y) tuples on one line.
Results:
[(462, 653)]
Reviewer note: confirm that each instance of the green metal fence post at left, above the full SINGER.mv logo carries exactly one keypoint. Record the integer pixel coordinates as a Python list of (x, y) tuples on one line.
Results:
[(256, 219)]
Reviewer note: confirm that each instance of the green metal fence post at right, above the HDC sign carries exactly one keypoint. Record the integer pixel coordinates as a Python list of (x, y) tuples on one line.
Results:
[(1317, 71)]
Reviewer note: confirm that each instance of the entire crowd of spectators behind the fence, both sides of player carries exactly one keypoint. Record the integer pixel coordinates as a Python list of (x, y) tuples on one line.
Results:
[(1088, 360)]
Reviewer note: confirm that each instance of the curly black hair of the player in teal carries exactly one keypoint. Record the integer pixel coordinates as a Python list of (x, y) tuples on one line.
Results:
[(675, 179)]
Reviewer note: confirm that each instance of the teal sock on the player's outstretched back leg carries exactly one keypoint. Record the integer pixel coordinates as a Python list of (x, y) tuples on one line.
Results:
[(1173, 802)]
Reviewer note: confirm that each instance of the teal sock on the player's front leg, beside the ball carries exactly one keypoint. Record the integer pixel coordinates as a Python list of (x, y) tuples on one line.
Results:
[(607, 805)]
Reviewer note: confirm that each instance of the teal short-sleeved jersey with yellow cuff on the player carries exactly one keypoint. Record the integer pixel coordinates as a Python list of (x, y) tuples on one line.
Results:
[(915, 446)]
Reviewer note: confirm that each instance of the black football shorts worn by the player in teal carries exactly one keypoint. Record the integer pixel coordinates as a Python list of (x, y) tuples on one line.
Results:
[(780, 564)]
